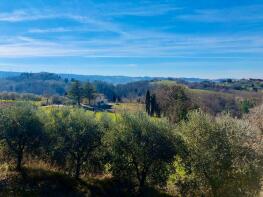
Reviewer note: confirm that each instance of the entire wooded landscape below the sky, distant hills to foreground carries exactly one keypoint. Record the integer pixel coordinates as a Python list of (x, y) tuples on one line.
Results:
[(154, 137)]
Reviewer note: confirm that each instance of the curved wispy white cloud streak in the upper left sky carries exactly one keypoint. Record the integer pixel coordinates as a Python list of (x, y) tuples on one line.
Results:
[(95, 23)]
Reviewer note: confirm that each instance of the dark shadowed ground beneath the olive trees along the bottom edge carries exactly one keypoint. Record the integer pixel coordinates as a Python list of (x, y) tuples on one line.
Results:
[(38, 182)]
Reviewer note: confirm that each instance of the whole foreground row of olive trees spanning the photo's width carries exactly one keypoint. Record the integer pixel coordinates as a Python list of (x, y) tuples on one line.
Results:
[(202, 155)]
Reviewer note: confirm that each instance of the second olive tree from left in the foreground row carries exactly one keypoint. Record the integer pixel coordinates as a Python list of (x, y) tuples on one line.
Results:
[(77, 134)]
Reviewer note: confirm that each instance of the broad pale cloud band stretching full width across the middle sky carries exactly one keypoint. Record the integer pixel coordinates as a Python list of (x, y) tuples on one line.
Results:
[(139, 44)]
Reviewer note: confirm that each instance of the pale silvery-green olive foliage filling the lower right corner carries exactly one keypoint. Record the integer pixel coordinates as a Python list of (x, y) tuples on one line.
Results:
[(222, 155)]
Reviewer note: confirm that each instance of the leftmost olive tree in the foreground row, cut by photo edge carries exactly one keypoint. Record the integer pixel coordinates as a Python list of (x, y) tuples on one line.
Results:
[(20, 129)]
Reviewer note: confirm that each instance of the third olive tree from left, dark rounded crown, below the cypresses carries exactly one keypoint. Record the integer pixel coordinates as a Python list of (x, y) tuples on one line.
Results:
[(141, 149)]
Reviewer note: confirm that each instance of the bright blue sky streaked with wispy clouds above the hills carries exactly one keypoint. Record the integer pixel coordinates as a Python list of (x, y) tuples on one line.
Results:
[(170, 38)]
